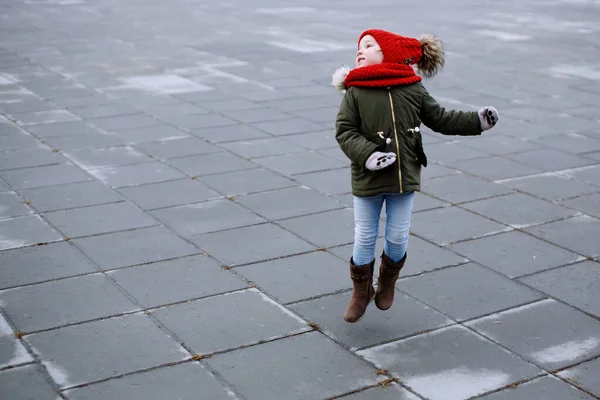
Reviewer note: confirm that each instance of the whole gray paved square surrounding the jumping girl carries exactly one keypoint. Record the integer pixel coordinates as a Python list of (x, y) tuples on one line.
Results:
[(179, 158)]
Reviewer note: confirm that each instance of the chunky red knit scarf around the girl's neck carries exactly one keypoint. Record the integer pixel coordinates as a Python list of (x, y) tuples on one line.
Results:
[(382, 75)]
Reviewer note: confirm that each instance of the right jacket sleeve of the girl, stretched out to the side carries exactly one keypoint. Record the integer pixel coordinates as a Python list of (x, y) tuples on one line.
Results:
[(451, 122)]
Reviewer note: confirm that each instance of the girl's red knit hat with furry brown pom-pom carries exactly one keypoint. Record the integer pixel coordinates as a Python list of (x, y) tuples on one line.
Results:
[(427, 51)]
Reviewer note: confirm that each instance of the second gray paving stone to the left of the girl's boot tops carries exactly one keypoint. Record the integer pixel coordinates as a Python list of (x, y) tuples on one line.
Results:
[(177, 280)]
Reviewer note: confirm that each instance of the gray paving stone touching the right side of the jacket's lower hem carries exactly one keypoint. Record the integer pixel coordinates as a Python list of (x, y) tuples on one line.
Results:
[(462, 188)]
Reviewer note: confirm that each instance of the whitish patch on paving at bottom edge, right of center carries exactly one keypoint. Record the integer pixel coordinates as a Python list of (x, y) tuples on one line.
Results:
[(458, 383)]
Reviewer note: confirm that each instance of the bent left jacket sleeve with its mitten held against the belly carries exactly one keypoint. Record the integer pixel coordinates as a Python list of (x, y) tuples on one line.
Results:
[(347, 132)]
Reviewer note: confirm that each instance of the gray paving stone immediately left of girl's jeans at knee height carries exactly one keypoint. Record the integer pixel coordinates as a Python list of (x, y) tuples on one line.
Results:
[(339, 223)]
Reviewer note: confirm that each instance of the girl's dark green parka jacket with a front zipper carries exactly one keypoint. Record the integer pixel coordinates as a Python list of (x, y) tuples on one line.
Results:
[(368, 116)]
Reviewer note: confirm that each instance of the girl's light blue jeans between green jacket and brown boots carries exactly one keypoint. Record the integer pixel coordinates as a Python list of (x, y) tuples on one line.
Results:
[(366, 226)]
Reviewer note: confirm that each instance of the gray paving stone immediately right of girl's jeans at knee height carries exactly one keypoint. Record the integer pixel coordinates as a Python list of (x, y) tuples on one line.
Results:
[(458, 225)]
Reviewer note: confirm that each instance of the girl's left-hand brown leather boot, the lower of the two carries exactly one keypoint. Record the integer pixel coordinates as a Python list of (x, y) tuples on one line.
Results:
[(362, 292)]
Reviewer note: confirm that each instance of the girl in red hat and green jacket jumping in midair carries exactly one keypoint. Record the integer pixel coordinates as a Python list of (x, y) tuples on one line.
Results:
[(377, 127)]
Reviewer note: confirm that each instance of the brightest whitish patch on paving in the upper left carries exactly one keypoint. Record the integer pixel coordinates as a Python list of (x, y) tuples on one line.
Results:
[(164, 84)]
